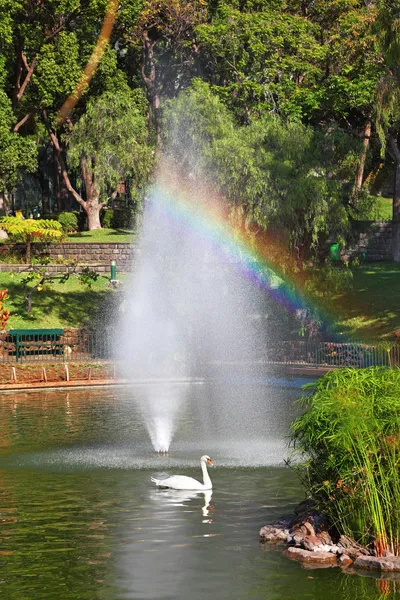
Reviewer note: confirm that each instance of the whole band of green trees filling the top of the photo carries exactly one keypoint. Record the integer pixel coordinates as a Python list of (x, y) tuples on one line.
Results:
[(307, 95)]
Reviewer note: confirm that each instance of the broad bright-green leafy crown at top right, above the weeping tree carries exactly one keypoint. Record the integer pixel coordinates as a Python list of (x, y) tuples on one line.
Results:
[(299, 62)]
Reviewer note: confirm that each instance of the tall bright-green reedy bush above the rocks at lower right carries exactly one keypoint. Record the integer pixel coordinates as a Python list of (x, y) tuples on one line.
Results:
[(348, 442)]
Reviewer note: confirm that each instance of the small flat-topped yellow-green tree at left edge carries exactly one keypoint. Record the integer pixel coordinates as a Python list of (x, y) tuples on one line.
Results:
[(31, 230)]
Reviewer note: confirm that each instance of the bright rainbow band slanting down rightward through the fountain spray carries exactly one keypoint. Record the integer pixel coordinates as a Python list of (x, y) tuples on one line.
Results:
[(206, 213)]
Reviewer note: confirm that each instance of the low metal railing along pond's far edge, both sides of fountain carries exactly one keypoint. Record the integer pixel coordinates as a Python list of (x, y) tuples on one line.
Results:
[(86, 346)]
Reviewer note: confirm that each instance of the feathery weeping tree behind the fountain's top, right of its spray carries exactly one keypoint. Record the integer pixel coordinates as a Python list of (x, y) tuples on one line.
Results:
[(284, 176)]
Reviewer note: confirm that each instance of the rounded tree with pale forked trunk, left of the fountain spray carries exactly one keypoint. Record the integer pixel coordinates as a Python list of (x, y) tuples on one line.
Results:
[(108, 144)]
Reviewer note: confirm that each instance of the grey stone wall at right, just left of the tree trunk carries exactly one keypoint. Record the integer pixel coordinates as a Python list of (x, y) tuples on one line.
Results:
[(372, 237)]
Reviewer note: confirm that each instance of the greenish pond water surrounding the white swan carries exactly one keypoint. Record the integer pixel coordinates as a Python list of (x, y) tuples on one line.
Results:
[(80, 519)]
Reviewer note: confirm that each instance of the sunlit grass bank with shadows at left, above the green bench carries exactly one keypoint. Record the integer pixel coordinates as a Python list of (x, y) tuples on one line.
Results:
[(60, 305)]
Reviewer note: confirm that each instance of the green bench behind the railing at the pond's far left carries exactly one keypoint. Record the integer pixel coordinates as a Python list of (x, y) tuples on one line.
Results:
[(37, 342)]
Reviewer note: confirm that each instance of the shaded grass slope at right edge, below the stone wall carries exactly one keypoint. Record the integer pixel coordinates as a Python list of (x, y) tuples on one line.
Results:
[(371, 310)]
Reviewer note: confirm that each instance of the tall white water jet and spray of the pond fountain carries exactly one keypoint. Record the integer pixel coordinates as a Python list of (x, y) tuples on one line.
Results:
[(187, 307)]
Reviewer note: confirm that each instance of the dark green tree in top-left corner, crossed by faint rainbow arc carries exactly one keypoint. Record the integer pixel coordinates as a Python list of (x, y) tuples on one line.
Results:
[(49, 53)]
